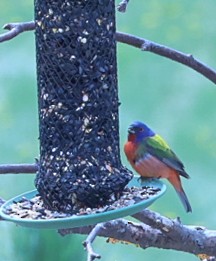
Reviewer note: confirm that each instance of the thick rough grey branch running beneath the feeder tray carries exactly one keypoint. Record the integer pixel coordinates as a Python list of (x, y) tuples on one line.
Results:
[(167, 234)]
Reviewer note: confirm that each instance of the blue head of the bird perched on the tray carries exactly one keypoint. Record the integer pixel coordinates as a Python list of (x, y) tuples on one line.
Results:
[(138, 131)]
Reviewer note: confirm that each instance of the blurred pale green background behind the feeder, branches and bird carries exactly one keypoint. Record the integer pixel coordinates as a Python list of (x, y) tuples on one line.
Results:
[(174, 100)]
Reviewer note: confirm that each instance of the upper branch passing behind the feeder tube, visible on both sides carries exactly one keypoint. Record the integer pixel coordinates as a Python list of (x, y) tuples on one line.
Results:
[(141, 43)]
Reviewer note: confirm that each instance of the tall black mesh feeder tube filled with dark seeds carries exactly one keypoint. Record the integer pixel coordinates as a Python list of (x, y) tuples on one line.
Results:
[(78, 104)]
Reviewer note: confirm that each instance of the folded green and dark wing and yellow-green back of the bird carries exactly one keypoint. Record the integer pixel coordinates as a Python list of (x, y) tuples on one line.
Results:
[(157, 147)]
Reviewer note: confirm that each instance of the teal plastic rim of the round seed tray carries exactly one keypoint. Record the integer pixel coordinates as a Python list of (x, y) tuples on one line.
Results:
[(84, 220)]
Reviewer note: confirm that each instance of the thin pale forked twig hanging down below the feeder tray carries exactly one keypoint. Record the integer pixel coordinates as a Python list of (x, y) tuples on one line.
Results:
[(90, 239)]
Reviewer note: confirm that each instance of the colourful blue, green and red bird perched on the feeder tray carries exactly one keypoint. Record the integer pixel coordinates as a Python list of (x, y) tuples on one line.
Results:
[(151, 157)]
